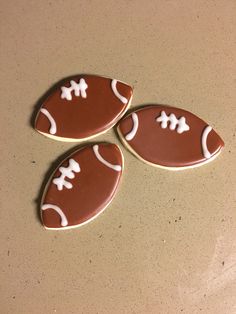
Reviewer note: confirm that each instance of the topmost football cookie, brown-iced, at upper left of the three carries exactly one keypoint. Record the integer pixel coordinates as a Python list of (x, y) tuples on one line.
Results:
[(82, 107)]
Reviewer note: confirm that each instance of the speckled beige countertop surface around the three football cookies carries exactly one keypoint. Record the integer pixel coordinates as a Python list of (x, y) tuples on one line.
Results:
[(167, 244)]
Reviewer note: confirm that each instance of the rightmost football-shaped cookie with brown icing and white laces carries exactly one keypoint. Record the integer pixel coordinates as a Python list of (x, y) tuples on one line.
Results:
[(169, 137)]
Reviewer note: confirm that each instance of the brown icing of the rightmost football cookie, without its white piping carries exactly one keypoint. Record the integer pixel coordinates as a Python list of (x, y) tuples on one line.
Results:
[(165, 147)]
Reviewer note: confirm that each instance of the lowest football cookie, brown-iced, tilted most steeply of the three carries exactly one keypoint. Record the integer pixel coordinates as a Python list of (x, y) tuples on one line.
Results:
[(82, 186)]
